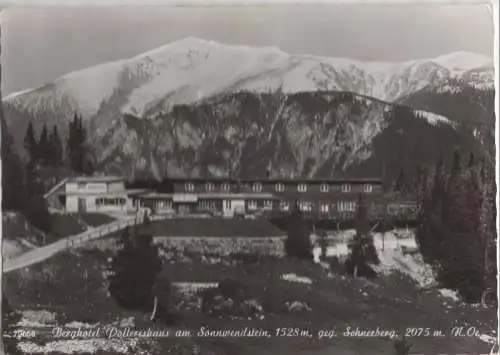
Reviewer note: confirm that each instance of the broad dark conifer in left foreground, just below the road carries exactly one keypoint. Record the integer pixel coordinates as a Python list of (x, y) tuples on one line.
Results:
[(134, 271)]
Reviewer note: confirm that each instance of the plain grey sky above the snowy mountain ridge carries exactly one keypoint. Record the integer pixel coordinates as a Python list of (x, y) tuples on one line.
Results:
[(41, 44)]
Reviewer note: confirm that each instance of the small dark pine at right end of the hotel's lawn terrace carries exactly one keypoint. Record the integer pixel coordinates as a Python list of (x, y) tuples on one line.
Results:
[(298, 242)]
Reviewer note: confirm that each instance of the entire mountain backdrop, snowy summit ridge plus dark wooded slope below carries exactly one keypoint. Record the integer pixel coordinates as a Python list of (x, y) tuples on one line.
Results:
[(177, 98)]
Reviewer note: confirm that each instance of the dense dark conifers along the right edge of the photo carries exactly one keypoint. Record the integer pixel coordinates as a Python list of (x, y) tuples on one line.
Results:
[(457, 227)]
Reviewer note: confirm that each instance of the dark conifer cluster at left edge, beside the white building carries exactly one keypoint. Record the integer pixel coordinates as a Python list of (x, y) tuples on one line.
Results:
[(23, 180)]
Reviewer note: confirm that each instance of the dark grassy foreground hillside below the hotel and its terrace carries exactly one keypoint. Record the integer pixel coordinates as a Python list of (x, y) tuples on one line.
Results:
[(321, 300)]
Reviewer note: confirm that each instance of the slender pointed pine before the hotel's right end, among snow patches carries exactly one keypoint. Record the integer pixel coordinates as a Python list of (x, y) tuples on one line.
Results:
[(362, 252)]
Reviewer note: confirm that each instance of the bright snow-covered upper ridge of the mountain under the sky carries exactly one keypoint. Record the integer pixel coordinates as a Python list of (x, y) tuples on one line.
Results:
[(190, 70)]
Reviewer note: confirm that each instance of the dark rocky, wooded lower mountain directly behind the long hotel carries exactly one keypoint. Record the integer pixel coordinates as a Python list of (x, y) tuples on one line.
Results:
[(313, 134)]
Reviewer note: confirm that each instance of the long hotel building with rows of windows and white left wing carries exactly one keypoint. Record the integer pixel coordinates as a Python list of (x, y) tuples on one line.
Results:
[(229, 198)]
